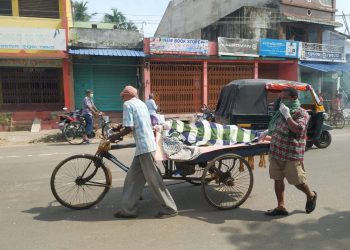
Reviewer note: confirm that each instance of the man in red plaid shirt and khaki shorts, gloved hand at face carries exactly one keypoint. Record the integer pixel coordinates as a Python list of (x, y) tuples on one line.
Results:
[(288, 139)]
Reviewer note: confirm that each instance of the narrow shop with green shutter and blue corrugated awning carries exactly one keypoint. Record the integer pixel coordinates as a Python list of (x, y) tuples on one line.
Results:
[(105, 60)]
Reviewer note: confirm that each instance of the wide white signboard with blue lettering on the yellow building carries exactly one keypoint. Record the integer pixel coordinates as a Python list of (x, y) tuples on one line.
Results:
[(32, 39)]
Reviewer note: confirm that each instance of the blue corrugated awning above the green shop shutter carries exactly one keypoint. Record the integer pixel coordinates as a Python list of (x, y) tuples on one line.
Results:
[(107, 52)]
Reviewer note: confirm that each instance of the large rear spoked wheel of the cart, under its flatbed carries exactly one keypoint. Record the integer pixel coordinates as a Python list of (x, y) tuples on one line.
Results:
[(227, 181)]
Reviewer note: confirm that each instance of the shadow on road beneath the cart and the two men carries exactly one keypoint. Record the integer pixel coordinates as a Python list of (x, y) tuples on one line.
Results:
[(189, 199)]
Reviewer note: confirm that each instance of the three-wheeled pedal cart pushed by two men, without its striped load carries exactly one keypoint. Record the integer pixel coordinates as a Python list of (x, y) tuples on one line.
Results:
[(81, 181)]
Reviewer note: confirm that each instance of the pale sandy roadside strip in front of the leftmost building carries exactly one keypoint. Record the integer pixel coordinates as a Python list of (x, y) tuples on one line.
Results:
[(26, 137)]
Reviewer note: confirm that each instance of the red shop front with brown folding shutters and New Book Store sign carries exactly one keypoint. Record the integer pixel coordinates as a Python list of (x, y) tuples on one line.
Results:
[(186, 73)]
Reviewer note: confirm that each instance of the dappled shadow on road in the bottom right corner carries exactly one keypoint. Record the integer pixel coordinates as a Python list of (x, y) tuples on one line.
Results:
[(328, 232)]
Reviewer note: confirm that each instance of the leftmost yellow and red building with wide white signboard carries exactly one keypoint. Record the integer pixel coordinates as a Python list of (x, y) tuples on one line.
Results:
[(34, 65)]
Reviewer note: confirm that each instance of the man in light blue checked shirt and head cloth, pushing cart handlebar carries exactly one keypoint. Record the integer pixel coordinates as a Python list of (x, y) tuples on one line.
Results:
[(136, 119)]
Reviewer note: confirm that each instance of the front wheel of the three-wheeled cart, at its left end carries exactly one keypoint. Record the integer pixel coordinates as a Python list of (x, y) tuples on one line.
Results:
[(80, 181)]
